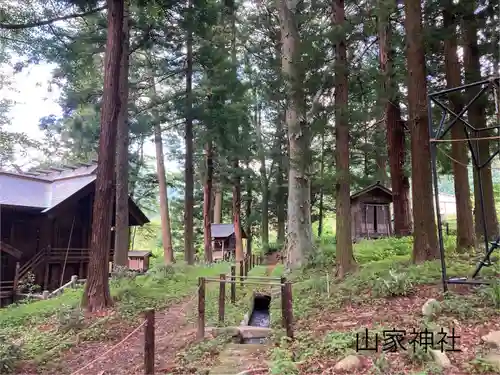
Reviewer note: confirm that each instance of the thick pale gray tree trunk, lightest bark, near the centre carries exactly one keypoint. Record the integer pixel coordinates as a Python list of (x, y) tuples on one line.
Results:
[(299, 238)]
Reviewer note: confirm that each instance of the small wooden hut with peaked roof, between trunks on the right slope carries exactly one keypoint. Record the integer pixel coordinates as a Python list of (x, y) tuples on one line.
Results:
[(370, 212)]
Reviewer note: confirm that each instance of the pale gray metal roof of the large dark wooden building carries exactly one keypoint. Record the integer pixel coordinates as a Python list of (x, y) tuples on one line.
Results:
[(43, 191)]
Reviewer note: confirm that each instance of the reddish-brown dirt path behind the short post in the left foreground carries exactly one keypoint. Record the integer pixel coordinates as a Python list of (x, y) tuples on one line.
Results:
[(172, 333)]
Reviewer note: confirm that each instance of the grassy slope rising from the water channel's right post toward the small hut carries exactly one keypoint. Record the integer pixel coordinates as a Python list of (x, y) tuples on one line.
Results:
[(385, 273)]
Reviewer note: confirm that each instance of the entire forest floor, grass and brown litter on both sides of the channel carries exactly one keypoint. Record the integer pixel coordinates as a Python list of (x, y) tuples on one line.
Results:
[(331, 318)]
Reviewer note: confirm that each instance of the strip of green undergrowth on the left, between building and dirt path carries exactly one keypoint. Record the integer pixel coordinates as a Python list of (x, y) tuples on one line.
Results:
[(40, 330)]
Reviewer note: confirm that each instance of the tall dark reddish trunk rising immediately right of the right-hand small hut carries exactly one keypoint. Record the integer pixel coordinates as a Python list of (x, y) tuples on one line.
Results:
[(394, 124)]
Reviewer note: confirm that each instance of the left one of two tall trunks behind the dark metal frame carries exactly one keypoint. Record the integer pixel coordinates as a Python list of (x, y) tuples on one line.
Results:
[(465, 224)]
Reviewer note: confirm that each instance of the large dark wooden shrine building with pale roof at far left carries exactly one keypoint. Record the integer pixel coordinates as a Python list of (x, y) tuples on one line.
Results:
[(46, 225)]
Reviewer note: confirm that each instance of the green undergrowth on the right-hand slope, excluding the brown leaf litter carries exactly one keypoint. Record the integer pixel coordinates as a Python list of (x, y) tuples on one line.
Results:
[(384, 271)]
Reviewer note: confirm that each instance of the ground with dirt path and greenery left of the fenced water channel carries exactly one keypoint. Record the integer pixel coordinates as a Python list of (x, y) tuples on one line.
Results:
[(55, 336)]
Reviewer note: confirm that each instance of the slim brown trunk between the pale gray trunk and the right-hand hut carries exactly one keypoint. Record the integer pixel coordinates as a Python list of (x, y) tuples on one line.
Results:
[(345, 259)]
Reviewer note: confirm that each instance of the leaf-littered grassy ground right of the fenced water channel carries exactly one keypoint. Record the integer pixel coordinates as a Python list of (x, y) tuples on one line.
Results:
[(386, 294)]
